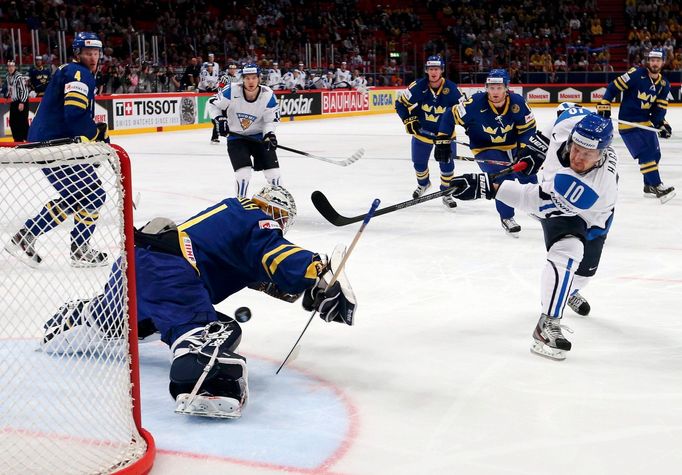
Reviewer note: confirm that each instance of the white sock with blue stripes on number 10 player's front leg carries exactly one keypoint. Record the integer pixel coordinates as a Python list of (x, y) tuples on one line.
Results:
[(563, 259)]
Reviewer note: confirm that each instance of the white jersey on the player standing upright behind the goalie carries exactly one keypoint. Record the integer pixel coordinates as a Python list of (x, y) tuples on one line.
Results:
[(246, 117)]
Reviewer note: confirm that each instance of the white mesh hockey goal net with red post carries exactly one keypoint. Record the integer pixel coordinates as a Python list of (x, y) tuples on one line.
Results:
[(73, 409)]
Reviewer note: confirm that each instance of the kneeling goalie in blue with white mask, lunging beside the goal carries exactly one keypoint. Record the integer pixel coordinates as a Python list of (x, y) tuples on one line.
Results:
[(184, 270)]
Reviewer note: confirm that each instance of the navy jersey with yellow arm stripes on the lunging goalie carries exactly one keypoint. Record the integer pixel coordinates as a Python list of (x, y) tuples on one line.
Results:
[(234, 243)]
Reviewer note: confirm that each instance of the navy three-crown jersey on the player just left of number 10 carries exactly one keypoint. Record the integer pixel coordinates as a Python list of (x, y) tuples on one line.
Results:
[(488, 127)]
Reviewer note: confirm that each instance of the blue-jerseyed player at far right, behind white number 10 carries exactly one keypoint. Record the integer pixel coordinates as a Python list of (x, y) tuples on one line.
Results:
[(645, 101)]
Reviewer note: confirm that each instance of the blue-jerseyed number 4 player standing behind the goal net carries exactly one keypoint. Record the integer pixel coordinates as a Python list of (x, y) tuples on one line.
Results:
[(67, 111)]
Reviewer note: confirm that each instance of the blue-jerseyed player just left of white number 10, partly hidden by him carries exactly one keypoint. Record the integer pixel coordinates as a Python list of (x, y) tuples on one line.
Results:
[(499, 123)]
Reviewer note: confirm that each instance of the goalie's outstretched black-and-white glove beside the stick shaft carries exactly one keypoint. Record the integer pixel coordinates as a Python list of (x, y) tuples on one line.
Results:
[(335, 303)]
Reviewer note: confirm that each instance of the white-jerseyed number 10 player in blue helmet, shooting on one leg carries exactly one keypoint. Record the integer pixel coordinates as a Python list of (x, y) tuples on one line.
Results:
[(575, 199)]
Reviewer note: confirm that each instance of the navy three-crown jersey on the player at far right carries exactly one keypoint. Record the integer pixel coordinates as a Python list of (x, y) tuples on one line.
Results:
[(644, 101)]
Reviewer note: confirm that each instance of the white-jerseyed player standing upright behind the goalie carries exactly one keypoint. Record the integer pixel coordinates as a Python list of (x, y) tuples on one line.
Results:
[(248, 109)]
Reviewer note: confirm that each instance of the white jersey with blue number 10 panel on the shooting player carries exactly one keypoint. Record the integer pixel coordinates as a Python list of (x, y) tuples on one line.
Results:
[(560, 190)]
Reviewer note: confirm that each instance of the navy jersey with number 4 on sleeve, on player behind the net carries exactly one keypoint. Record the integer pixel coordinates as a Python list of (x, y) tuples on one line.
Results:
[(68, 106)]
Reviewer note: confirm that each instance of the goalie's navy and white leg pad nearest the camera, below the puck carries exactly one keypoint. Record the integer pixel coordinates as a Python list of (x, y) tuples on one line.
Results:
[(207, 378)]
